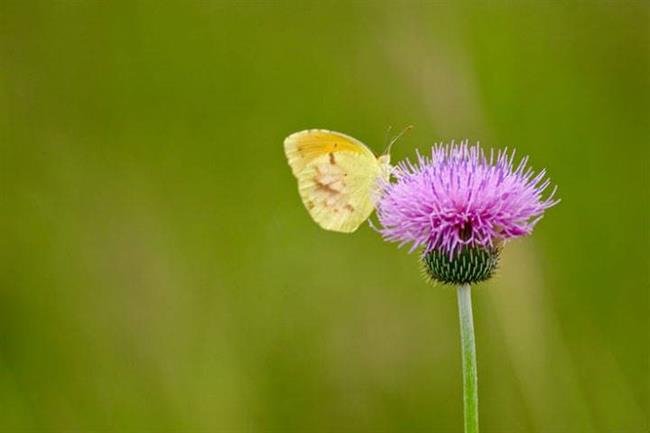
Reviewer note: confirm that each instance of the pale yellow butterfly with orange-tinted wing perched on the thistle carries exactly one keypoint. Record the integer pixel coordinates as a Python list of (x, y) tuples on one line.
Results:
[(337, 176)]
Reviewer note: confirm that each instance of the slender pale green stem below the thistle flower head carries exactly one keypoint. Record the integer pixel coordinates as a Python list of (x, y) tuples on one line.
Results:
[(468, 351)]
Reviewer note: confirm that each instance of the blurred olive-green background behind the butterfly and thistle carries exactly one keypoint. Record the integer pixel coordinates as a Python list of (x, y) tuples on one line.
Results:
[(159, 273)]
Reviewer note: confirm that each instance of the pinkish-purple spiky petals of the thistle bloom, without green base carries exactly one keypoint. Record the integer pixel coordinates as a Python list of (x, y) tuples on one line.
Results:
[(461, 197)]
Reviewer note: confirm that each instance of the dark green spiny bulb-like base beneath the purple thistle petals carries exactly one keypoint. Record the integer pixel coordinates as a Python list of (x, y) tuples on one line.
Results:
[(471, 265)]
